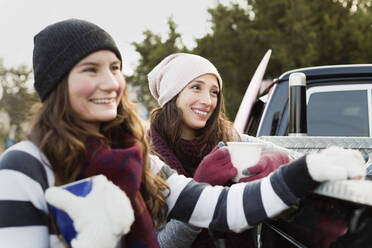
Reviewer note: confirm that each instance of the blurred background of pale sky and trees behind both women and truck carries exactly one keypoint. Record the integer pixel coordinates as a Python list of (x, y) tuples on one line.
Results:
[(234, 35)]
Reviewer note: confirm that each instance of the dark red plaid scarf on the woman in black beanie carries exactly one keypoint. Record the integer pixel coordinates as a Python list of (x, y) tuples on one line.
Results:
[(123, 166)]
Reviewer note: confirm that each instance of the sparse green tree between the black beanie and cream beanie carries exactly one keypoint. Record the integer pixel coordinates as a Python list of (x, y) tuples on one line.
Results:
[(152, 50)]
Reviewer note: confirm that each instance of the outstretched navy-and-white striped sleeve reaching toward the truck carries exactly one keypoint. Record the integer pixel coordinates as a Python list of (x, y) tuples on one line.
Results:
[(239, 207)]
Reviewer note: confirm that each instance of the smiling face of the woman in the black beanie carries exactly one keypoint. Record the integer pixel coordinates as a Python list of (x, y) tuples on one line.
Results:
[(95, 87)]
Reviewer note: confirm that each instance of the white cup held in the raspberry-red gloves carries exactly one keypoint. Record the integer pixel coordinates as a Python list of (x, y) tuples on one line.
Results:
[(244, 155)]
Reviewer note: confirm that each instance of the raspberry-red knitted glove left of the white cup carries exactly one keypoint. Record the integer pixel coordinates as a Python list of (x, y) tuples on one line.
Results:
[(216, 168)]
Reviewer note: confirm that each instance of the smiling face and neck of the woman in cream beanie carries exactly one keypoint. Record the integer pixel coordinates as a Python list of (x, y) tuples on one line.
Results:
[(197, 102)]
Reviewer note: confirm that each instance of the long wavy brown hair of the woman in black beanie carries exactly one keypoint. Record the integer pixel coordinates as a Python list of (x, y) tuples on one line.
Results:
[(60, 136)]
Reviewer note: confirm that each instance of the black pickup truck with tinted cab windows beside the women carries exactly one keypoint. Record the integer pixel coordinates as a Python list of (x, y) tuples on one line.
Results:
[(339, 112)]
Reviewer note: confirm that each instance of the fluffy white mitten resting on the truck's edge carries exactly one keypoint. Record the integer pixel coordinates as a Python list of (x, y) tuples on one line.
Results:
[(335, 163)]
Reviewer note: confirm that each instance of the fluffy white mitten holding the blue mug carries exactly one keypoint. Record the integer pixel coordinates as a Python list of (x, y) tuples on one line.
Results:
[(101, 218)]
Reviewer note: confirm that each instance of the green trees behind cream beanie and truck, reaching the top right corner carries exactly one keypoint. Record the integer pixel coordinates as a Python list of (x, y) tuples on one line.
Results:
[(301, 33)]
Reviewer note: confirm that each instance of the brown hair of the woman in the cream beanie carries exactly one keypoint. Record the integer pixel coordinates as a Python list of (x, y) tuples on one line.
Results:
[(167, 122)]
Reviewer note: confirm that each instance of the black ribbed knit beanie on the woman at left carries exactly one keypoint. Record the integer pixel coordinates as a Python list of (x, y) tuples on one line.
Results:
[(60, 46)]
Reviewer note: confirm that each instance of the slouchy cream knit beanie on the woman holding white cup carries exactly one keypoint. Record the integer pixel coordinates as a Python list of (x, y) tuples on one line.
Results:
[(174, 72)]
